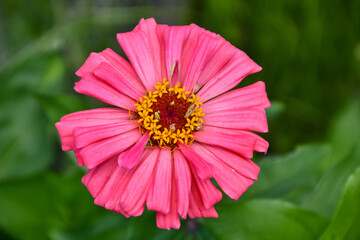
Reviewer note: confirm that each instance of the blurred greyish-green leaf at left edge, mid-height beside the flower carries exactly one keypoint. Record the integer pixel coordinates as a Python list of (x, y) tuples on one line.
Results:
[(25, 136)]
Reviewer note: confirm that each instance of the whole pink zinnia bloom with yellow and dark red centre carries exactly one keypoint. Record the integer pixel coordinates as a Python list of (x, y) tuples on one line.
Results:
[(175, 124)]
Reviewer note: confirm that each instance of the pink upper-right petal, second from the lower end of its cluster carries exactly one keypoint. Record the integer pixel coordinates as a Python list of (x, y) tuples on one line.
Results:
[(219, 58)]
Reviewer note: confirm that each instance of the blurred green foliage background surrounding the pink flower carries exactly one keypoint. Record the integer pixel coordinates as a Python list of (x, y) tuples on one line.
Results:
[(309, 184)]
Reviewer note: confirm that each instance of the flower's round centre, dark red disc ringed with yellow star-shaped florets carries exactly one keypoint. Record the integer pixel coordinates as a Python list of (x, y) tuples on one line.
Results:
[(170, 115)]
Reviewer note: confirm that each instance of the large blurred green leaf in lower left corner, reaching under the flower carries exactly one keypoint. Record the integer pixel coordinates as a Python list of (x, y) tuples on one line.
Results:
[(50, 206)]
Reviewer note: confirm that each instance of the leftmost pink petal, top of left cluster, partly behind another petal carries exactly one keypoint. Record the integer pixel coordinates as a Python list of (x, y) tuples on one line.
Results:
[(92, 117)]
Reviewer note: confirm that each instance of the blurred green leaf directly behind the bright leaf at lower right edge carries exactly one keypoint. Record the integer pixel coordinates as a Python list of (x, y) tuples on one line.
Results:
[(327, 193)]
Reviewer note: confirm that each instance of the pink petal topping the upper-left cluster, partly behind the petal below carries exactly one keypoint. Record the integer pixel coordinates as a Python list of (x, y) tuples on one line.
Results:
[(117, 62)]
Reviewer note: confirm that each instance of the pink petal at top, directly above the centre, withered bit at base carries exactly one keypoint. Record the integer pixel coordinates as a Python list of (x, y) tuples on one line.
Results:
[(174, 40)]
